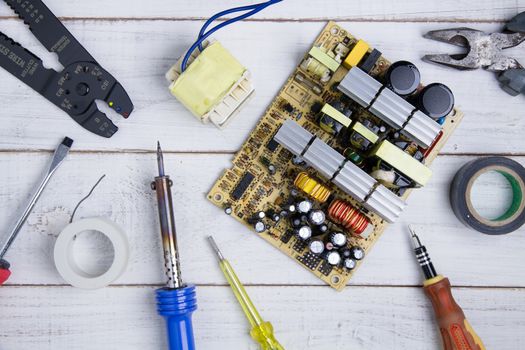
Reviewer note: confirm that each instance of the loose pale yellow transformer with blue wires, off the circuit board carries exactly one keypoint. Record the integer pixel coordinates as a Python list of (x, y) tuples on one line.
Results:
[(214, 85)]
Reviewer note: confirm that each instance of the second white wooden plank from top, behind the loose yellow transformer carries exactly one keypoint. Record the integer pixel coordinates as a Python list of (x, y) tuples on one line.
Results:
[(139, 53)]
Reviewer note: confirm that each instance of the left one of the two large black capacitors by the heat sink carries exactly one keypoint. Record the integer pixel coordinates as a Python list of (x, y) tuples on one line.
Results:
[(403, 78)]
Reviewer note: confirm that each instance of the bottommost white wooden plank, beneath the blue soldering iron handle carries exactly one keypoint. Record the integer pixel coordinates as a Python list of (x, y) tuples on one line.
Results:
[(50, 318)]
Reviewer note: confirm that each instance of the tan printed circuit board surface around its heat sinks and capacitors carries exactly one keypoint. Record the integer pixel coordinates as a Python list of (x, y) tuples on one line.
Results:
[(263, 172)]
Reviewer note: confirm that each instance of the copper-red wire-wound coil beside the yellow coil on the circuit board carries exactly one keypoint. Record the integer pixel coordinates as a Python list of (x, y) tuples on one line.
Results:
[(350, 218)]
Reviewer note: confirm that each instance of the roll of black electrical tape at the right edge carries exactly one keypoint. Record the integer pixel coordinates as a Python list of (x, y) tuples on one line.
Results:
[(513, 218)]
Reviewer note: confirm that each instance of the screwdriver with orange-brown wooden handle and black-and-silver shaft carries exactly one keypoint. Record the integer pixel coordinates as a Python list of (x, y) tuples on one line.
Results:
[(456, 331)]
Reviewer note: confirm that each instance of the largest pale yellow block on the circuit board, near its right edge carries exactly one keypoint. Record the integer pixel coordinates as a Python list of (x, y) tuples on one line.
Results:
[(403, 162)]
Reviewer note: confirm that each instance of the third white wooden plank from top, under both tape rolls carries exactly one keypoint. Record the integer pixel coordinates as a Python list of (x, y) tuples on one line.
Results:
[(125, 196)]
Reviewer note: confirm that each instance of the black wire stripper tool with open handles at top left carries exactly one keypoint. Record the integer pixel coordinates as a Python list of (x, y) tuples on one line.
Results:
[(79, 85)]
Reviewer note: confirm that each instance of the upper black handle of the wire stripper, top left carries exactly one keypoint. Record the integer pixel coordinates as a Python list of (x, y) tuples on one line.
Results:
[(48, 29)]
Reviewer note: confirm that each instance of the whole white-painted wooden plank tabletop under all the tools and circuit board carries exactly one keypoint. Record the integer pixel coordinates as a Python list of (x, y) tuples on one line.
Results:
[(382, 308)]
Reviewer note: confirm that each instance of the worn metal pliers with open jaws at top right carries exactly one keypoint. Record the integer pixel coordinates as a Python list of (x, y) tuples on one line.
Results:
[(484, 50)]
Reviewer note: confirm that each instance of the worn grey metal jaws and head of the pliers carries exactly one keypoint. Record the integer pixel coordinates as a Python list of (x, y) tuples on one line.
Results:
[(484, 50)]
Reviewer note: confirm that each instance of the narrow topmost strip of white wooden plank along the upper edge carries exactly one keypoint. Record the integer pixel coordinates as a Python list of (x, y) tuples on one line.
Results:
[(382, 10)]
